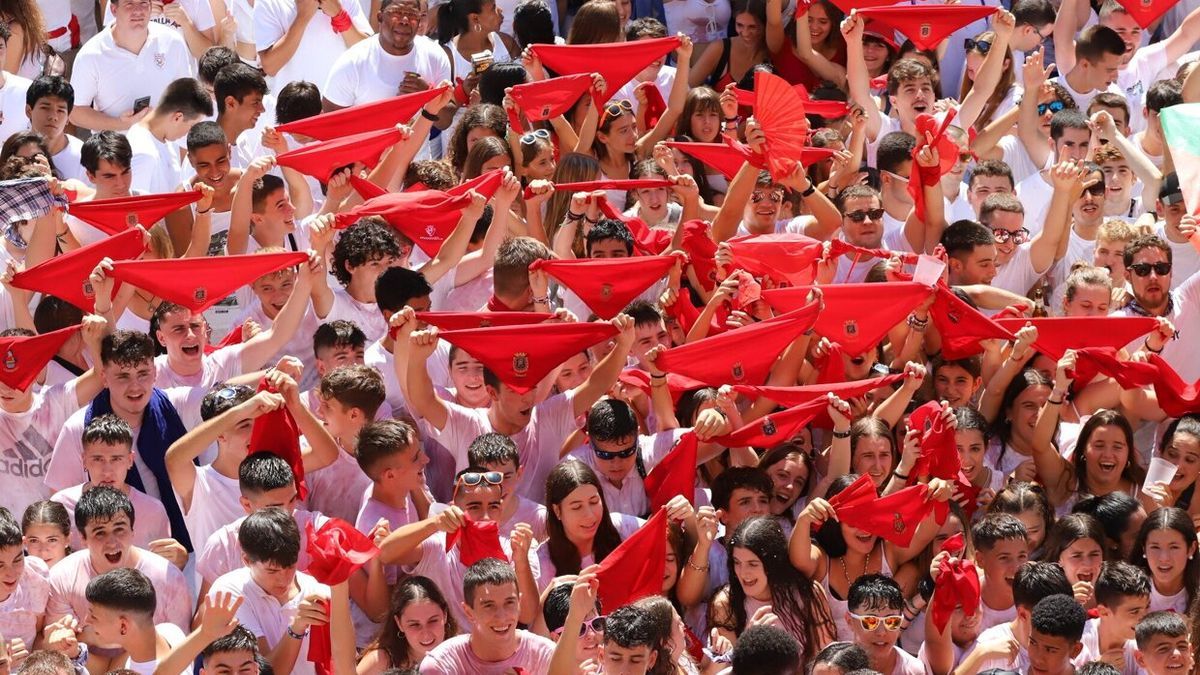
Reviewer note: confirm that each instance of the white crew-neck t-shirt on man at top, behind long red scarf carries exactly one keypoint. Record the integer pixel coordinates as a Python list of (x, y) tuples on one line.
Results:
[(367, 73)]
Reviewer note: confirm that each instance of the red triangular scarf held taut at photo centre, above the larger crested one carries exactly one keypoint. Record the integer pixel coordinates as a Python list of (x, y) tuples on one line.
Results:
[(608, 285)]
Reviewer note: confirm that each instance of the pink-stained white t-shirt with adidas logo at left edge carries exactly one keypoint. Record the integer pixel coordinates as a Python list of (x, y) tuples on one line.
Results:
[(27, 445)]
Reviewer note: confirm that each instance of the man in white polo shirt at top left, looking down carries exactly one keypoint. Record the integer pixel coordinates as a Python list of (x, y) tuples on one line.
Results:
[(147, 56)]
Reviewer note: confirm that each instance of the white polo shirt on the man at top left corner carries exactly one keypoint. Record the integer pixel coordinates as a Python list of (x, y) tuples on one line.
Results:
[(164, 59)]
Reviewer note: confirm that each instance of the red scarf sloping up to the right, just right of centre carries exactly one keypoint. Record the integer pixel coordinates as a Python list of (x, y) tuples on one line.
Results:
[(743, 356)]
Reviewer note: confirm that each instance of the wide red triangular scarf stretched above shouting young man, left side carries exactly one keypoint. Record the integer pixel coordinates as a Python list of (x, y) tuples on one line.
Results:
[(199, 284)]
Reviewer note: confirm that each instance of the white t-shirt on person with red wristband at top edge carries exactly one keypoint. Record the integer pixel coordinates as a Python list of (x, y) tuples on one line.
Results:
[(320, 46)]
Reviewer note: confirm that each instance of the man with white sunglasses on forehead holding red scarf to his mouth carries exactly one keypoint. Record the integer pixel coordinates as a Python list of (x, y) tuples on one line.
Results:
[(478, 498)]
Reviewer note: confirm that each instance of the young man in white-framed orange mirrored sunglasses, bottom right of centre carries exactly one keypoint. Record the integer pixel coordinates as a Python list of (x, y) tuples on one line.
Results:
[(875, 614)]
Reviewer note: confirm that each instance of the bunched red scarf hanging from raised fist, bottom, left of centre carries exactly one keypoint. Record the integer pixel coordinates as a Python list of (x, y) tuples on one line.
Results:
[(335, 552)]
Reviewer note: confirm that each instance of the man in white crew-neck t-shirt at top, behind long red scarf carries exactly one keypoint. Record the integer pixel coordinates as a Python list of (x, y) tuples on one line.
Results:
[(398, 61)]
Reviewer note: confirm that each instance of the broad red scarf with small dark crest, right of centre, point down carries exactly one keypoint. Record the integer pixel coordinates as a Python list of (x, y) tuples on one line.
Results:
[(854, 314)]
